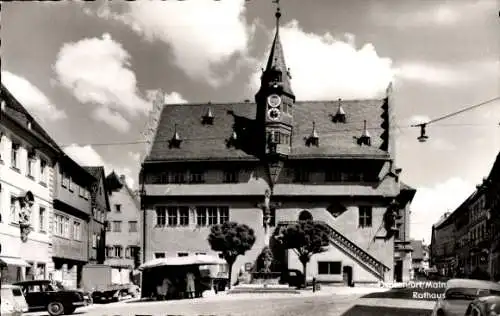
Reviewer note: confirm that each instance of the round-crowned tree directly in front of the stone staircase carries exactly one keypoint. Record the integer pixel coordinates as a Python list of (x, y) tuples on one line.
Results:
[(306, 238)]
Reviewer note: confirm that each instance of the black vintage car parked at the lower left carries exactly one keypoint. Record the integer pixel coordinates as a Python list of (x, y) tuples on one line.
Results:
[(53, 297)]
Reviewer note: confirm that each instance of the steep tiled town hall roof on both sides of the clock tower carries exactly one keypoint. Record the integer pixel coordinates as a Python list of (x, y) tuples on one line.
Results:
[(336, 140)]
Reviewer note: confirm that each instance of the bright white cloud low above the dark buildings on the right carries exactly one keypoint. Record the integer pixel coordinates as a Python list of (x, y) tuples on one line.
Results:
[(430, 204)]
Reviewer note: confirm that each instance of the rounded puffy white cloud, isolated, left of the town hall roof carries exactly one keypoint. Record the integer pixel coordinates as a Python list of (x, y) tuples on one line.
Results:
[(97, 70)]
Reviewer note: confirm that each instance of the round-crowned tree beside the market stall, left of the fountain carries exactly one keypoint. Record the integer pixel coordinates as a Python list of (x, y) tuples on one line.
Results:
[(231, 239)]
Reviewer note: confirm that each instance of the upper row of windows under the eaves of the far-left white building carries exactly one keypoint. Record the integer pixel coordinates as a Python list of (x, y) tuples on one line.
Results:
[(36, 167)]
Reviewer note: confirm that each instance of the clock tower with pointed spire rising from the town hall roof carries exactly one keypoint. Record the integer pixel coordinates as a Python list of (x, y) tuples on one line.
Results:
[(275, 102)]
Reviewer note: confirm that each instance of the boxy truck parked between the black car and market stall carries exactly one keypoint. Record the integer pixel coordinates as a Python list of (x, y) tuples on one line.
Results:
[(107, 284)]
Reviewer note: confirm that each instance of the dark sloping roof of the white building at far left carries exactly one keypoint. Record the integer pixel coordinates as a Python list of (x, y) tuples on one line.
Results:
[(18, 113)]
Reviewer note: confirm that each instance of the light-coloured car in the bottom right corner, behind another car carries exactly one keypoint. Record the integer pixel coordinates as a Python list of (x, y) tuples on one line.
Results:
[(459, 293)]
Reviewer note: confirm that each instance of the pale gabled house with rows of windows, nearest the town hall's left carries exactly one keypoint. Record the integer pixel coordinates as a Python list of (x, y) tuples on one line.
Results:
[(123, 228)]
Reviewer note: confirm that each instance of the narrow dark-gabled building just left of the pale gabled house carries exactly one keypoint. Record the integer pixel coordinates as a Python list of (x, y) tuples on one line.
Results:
[(97, 223)]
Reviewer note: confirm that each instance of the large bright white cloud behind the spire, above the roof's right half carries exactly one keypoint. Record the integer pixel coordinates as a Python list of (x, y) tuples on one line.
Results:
[(323, 67)]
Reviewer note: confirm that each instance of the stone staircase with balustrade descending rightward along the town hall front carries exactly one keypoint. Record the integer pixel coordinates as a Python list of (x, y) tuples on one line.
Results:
[(352, 250)]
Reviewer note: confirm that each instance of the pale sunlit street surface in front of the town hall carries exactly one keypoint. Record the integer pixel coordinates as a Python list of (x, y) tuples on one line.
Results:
[(321, 303)]
